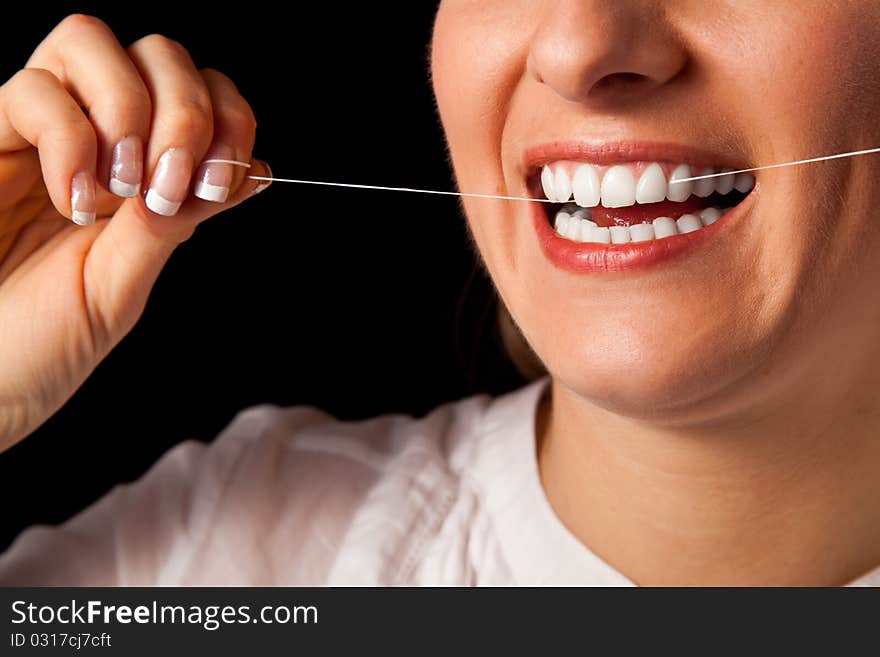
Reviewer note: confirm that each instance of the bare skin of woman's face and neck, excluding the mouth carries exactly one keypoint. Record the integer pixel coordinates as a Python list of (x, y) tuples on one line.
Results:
[(713, 419)]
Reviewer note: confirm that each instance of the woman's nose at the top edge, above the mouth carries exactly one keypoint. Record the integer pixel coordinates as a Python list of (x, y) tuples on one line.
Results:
[(591, 51)]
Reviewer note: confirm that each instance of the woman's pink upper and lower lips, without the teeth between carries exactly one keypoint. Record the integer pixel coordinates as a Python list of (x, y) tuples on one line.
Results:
[(587, 257)]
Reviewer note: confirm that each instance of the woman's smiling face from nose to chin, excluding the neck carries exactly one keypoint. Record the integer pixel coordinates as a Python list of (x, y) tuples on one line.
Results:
[(662, 327)]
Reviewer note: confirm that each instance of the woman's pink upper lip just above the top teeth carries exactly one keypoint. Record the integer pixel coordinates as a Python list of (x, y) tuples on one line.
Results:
[(606, 153)]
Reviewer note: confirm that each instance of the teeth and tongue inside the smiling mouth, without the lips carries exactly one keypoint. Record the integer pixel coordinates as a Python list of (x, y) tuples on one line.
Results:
[(635, 201)]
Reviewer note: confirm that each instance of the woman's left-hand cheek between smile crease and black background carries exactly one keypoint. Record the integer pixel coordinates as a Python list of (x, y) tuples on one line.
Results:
[(478, 58)]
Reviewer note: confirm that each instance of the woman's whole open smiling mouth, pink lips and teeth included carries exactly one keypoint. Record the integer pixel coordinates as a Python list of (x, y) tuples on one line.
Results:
[(615, 209)]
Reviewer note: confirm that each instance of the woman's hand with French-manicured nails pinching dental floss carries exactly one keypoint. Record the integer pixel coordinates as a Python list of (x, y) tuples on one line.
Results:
[(84, 117)]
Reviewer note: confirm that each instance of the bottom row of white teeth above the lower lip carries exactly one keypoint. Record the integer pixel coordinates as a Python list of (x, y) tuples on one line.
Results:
[(573, 224)]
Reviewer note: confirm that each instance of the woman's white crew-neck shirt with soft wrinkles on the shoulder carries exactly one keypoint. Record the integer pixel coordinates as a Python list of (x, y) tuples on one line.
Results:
[(288, 497)]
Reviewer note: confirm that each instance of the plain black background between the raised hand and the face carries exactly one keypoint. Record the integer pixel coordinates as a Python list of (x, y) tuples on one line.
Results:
[(358, 302)]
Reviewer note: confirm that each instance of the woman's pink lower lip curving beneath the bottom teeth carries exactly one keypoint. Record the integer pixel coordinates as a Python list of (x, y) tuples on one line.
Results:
[(590, 257)]
